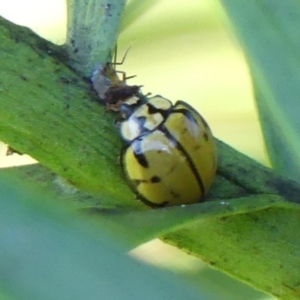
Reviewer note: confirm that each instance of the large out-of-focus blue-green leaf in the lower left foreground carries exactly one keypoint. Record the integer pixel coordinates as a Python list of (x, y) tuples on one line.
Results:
[(48, 253)]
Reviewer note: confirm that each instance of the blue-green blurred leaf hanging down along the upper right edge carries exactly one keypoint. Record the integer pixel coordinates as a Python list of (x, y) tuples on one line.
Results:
[(268, 32)]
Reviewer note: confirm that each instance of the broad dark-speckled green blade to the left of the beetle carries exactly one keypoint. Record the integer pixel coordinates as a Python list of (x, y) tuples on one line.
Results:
[(51, 113)]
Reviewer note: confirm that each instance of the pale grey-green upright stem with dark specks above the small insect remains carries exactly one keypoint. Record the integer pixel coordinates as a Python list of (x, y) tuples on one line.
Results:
[(92, 32)]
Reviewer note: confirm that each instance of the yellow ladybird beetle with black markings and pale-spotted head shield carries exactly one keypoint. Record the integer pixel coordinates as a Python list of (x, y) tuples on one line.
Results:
[(170, 157)]
